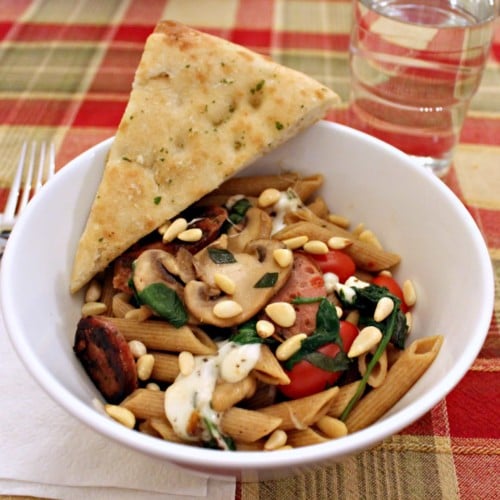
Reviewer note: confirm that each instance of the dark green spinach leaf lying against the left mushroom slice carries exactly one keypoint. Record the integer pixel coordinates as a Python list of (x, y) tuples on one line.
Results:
[(165, 302)]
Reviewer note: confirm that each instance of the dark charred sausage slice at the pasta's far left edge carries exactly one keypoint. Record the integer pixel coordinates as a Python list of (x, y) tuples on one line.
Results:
[(106, 357)]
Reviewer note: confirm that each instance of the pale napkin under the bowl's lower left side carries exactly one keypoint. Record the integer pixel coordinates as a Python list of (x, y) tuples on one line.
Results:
[(45, 452)]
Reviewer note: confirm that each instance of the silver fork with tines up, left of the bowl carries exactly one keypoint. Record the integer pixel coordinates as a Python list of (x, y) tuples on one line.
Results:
[(21, 192)]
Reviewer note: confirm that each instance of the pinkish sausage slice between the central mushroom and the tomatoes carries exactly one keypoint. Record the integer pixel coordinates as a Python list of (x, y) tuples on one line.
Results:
[(306, 280)]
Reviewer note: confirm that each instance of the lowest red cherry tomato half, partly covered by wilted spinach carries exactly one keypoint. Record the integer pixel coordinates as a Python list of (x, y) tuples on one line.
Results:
[(307, 379)]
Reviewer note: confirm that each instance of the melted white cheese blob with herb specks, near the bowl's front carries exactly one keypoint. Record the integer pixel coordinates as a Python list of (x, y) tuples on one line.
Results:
[(193, 393)]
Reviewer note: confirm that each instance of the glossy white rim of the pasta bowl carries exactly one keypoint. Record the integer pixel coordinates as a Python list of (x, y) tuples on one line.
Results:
[(245, 460)]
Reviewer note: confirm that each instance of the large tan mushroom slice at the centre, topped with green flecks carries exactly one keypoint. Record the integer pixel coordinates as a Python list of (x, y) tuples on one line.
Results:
[(246, 269)]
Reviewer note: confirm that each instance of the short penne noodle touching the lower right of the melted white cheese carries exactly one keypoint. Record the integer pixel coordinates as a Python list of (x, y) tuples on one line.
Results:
[(248, 425)]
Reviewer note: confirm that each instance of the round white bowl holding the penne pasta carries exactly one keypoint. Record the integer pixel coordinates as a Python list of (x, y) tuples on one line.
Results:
[(411, 211)]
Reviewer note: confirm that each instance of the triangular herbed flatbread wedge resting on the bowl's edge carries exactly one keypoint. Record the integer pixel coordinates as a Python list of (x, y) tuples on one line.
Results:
[(200, 110)]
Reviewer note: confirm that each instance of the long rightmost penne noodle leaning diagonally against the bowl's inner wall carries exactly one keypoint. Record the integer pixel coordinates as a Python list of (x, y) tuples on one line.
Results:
[(409, 367)]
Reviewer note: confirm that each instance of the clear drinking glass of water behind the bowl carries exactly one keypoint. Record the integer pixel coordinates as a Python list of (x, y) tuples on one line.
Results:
[(415, 66)]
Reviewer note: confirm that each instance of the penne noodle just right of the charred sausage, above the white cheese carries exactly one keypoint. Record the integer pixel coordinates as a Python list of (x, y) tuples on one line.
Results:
[(165, 337)]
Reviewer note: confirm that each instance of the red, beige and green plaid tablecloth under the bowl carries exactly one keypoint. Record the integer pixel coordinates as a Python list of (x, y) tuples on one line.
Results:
[(65, 73)]
